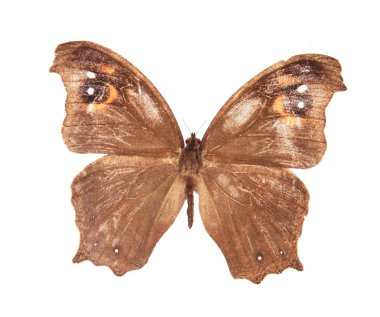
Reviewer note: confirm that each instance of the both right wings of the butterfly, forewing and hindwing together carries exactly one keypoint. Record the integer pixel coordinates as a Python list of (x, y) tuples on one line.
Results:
[(251, 205)]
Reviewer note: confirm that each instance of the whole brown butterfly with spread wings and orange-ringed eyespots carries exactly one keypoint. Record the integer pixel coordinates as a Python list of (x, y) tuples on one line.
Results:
[(251, 204)]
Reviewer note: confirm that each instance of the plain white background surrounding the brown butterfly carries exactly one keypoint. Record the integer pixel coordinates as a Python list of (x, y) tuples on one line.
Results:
[(197, 54)]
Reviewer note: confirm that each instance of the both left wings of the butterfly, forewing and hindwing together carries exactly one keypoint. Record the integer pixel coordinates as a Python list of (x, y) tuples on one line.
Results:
[(125, 201)]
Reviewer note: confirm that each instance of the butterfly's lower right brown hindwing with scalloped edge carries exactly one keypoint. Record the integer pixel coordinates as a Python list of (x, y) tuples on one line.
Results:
[(255, 216)]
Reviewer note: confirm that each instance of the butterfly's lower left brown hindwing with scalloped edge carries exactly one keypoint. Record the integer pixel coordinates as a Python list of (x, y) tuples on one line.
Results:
[(124, 204)]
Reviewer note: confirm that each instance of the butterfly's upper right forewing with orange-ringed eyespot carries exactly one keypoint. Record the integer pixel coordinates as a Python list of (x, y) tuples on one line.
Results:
[(278, 117)]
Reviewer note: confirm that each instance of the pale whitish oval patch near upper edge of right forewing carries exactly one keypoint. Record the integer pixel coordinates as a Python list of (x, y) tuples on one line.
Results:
[(241, 113)]
